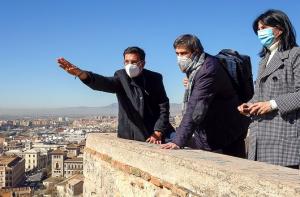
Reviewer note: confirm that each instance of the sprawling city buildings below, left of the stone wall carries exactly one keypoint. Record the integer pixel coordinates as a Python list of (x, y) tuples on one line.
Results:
[(44, 156)]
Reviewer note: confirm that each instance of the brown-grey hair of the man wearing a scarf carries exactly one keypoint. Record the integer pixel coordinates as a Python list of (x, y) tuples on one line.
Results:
[(189, 41)]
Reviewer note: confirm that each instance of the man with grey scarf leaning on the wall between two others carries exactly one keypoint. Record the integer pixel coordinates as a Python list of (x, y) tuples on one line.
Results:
[(211, 120)]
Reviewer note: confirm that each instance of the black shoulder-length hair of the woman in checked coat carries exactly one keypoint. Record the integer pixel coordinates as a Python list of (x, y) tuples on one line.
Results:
[(278, 19)]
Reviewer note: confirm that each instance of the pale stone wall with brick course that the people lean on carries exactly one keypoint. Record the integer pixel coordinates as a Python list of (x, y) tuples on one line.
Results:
[(118, 167)]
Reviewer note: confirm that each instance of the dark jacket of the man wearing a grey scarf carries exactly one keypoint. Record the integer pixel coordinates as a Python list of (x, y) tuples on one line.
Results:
[(212, 113)]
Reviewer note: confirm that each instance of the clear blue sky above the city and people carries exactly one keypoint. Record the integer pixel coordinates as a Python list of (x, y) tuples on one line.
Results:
[(93, 35)]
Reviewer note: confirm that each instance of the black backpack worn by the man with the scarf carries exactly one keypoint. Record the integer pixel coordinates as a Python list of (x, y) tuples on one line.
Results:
[(239, 69)]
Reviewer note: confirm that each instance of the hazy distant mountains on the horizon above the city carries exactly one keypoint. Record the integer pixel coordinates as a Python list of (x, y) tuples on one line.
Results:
[(112, 109)]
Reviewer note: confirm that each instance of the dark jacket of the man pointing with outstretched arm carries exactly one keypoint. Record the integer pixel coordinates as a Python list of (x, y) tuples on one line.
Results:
[(143, 103)]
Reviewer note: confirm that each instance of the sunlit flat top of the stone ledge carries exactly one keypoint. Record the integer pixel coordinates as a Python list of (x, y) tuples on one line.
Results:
[(189, 167)]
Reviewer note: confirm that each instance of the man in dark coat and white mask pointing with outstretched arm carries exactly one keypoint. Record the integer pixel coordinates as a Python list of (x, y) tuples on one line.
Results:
[(143, 103)]
